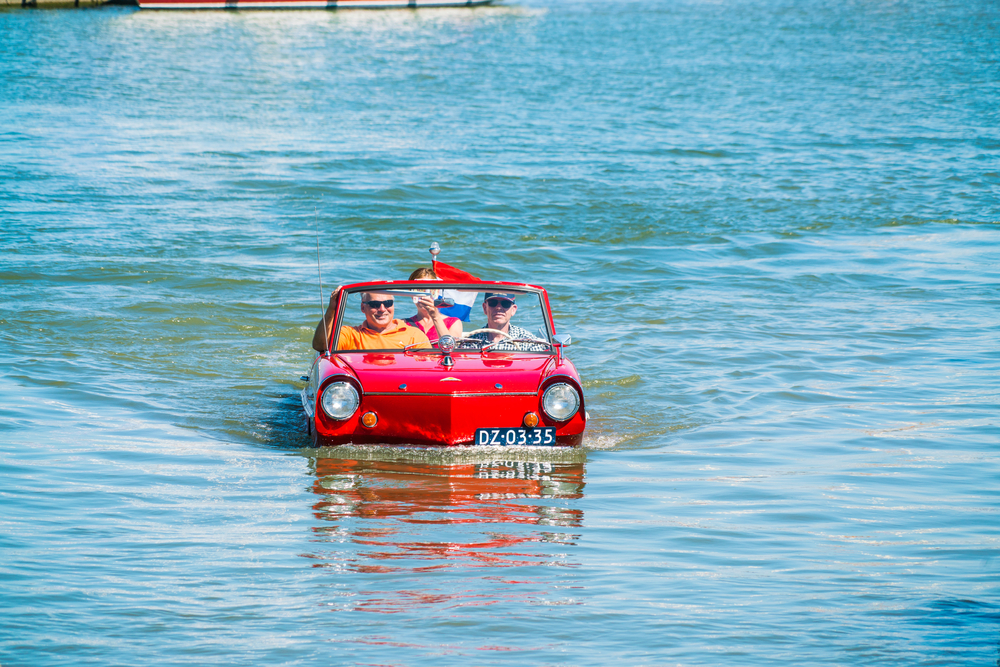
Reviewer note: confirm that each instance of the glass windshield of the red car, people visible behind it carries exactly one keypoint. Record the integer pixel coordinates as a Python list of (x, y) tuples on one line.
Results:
[(512, 320)]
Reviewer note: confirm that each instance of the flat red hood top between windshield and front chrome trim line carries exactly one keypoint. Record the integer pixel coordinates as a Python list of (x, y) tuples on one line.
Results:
[(425, 374)]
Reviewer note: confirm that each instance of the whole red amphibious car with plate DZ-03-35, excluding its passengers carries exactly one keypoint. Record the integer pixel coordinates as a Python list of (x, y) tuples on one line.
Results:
[(480, 388)]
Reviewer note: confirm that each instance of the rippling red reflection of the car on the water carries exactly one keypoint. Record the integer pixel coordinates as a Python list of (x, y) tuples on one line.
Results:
[(404, 518)]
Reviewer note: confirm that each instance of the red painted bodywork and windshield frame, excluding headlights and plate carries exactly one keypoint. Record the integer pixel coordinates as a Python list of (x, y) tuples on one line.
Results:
[(419, 400)]
